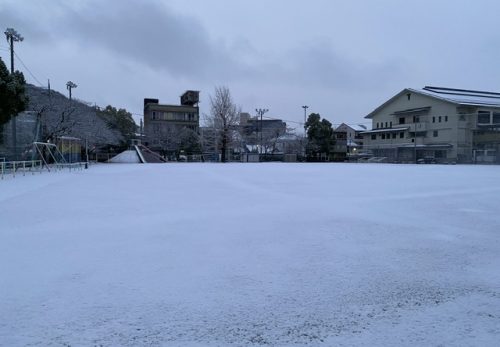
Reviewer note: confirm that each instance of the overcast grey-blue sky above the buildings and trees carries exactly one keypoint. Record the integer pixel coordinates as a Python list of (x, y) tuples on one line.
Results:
[(342, 58)]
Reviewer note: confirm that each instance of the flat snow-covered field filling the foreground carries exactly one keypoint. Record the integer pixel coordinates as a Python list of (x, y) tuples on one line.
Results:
[(251, 254)]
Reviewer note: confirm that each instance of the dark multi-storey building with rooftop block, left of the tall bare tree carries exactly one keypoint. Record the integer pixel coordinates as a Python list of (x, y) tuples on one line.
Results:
[(165, 125)]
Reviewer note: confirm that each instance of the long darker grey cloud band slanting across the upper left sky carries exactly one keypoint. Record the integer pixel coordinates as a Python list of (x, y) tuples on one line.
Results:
[(153, 35)]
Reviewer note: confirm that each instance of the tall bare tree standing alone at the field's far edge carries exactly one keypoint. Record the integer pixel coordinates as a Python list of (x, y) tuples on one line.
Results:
[(224, 116)]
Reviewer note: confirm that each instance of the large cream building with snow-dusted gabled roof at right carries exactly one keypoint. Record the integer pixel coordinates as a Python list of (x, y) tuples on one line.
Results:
[(439, 124)]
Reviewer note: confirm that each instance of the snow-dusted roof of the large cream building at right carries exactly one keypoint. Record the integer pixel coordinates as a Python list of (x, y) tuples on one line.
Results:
[(455, 96)]
